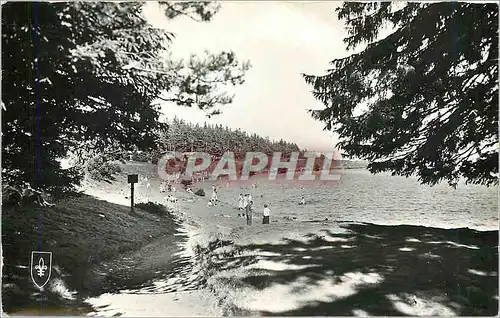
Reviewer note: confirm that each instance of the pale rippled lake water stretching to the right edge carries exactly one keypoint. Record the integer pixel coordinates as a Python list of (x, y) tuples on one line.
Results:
[(385, 199)]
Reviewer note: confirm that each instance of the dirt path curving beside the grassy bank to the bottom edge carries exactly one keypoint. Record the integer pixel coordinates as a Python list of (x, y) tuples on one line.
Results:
[(159, 279)]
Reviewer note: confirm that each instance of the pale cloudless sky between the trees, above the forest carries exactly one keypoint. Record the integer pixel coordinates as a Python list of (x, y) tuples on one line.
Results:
[(281, 40)]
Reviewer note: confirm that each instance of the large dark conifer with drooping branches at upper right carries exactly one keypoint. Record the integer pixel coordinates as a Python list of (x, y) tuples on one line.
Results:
[(424, 99)]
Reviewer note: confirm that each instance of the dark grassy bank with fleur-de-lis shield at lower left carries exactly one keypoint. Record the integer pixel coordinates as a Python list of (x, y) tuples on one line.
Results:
[(82, 233)]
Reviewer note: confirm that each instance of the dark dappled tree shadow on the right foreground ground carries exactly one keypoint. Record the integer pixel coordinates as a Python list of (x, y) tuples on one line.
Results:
[(417, 267)]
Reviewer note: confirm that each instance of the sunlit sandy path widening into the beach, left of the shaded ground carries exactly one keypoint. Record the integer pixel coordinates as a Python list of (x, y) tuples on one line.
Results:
[(171, 273)]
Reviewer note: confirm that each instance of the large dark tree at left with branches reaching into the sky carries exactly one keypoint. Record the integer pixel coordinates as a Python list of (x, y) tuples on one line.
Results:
[(83, 80)]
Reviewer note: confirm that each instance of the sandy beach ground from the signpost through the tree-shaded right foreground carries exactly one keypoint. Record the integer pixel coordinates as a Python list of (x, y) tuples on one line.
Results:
[(320, 261)]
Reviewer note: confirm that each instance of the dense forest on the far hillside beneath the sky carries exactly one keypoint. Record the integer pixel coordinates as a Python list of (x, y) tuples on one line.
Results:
[(181, 136)]
